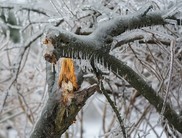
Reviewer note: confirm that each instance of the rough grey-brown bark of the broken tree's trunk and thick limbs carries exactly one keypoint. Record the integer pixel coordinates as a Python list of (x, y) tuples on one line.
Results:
[(54, 120)]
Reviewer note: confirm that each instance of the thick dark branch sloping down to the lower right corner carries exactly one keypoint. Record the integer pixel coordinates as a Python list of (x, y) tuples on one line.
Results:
[(122, 70)]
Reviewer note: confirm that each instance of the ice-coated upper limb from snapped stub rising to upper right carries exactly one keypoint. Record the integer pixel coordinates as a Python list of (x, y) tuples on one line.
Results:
[(68, 44)]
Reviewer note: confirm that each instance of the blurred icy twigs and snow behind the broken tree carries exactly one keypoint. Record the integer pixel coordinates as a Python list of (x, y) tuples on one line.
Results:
[(23, 89)]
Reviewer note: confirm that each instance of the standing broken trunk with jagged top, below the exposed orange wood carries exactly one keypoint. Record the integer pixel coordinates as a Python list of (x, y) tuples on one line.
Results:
[(56, 118)]
